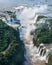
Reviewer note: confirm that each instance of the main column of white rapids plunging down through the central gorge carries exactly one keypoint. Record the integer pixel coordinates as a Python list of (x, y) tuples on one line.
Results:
[(28, 17)]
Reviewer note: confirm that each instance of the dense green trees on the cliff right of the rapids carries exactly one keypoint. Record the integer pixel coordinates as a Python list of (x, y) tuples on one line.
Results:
[(43, 33)]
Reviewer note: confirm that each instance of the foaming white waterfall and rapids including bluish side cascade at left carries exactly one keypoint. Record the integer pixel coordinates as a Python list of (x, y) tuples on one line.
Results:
[(27, 17)]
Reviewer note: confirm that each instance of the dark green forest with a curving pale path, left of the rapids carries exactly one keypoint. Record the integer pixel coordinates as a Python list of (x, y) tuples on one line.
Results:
[(11, 47)]
